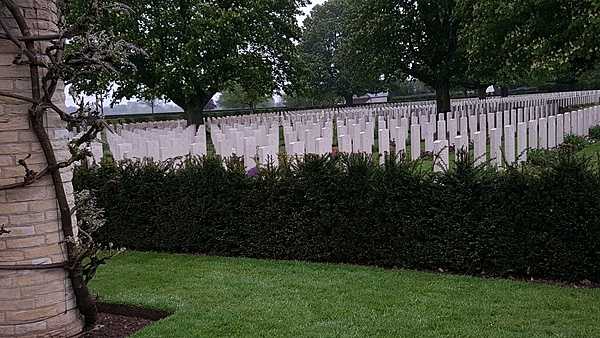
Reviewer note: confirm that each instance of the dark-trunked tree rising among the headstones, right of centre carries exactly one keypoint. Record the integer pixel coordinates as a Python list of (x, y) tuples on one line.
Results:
[(416, 37)]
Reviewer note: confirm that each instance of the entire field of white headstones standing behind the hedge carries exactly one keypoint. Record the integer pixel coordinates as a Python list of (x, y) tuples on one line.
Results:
[(257, 137)]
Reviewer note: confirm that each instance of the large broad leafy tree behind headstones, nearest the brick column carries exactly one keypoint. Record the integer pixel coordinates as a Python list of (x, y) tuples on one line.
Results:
[(197, 48)]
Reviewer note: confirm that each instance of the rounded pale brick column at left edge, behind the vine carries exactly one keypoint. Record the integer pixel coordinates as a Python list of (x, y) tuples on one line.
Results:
[(32, 302)]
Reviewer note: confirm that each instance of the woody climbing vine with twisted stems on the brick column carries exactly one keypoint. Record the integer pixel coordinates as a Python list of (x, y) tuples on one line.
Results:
[(83, 53)]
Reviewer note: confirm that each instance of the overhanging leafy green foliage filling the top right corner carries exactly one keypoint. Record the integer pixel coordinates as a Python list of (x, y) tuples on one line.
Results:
[(531, 41)]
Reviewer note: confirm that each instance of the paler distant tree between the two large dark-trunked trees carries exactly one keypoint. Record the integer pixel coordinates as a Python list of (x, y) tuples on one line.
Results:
[(332, 68)]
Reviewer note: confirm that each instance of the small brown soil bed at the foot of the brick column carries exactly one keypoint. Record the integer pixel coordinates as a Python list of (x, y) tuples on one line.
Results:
[(119, 321)]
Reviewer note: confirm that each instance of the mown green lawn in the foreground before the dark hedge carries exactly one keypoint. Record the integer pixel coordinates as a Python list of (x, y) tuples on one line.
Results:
[(252, 298)]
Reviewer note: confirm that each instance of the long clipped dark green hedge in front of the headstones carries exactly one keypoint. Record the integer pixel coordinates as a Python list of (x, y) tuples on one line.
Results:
[(539, 221)]
